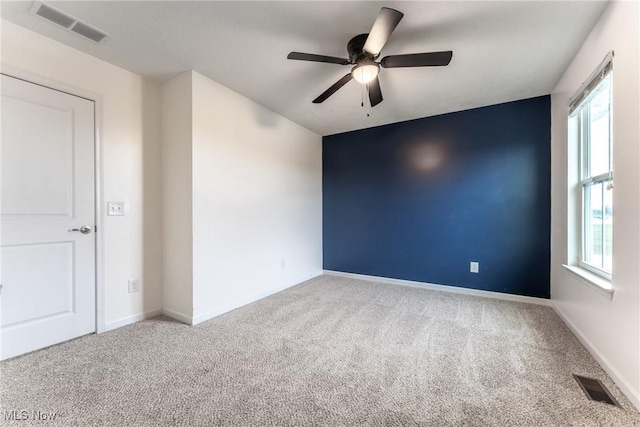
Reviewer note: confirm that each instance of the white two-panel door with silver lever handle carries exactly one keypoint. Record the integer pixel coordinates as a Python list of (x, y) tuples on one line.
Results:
[(47, 192)]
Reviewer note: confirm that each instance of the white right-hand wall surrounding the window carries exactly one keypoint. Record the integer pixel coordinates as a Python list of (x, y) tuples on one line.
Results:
[(610, 329)]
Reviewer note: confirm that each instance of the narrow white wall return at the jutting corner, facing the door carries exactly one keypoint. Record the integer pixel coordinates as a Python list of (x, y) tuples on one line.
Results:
[(177, 225)]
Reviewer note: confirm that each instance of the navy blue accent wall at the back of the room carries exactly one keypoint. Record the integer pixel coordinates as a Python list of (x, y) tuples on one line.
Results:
[(419, 200)]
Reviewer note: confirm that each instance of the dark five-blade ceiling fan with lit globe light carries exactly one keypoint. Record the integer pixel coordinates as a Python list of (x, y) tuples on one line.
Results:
[(364, 50)]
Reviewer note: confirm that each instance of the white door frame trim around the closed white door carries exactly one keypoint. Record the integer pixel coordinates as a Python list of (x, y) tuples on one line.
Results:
[(98, 176)]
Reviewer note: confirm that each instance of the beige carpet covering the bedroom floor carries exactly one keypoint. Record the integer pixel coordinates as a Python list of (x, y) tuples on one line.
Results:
[(330, 351)]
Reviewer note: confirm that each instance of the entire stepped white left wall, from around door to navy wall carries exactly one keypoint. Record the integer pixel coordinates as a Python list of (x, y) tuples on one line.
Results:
[(257, 189)]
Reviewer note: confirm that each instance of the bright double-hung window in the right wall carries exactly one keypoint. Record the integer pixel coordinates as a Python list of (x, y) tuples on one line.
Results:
[(590, 117)]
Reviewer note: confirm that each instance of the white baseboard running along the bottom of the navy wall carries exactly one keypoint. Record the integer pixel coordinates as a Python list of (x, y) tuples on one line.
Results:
[(443, 288)]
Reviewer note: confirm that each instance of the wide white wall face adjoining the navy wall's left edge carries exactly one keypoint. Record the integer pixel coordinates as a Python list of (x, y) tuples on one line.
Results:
[(257, 200)]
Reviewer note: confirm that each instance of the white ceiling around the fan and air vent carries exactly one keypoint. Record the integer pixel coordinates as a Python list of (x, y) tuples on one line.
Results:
[(503, 50)]
